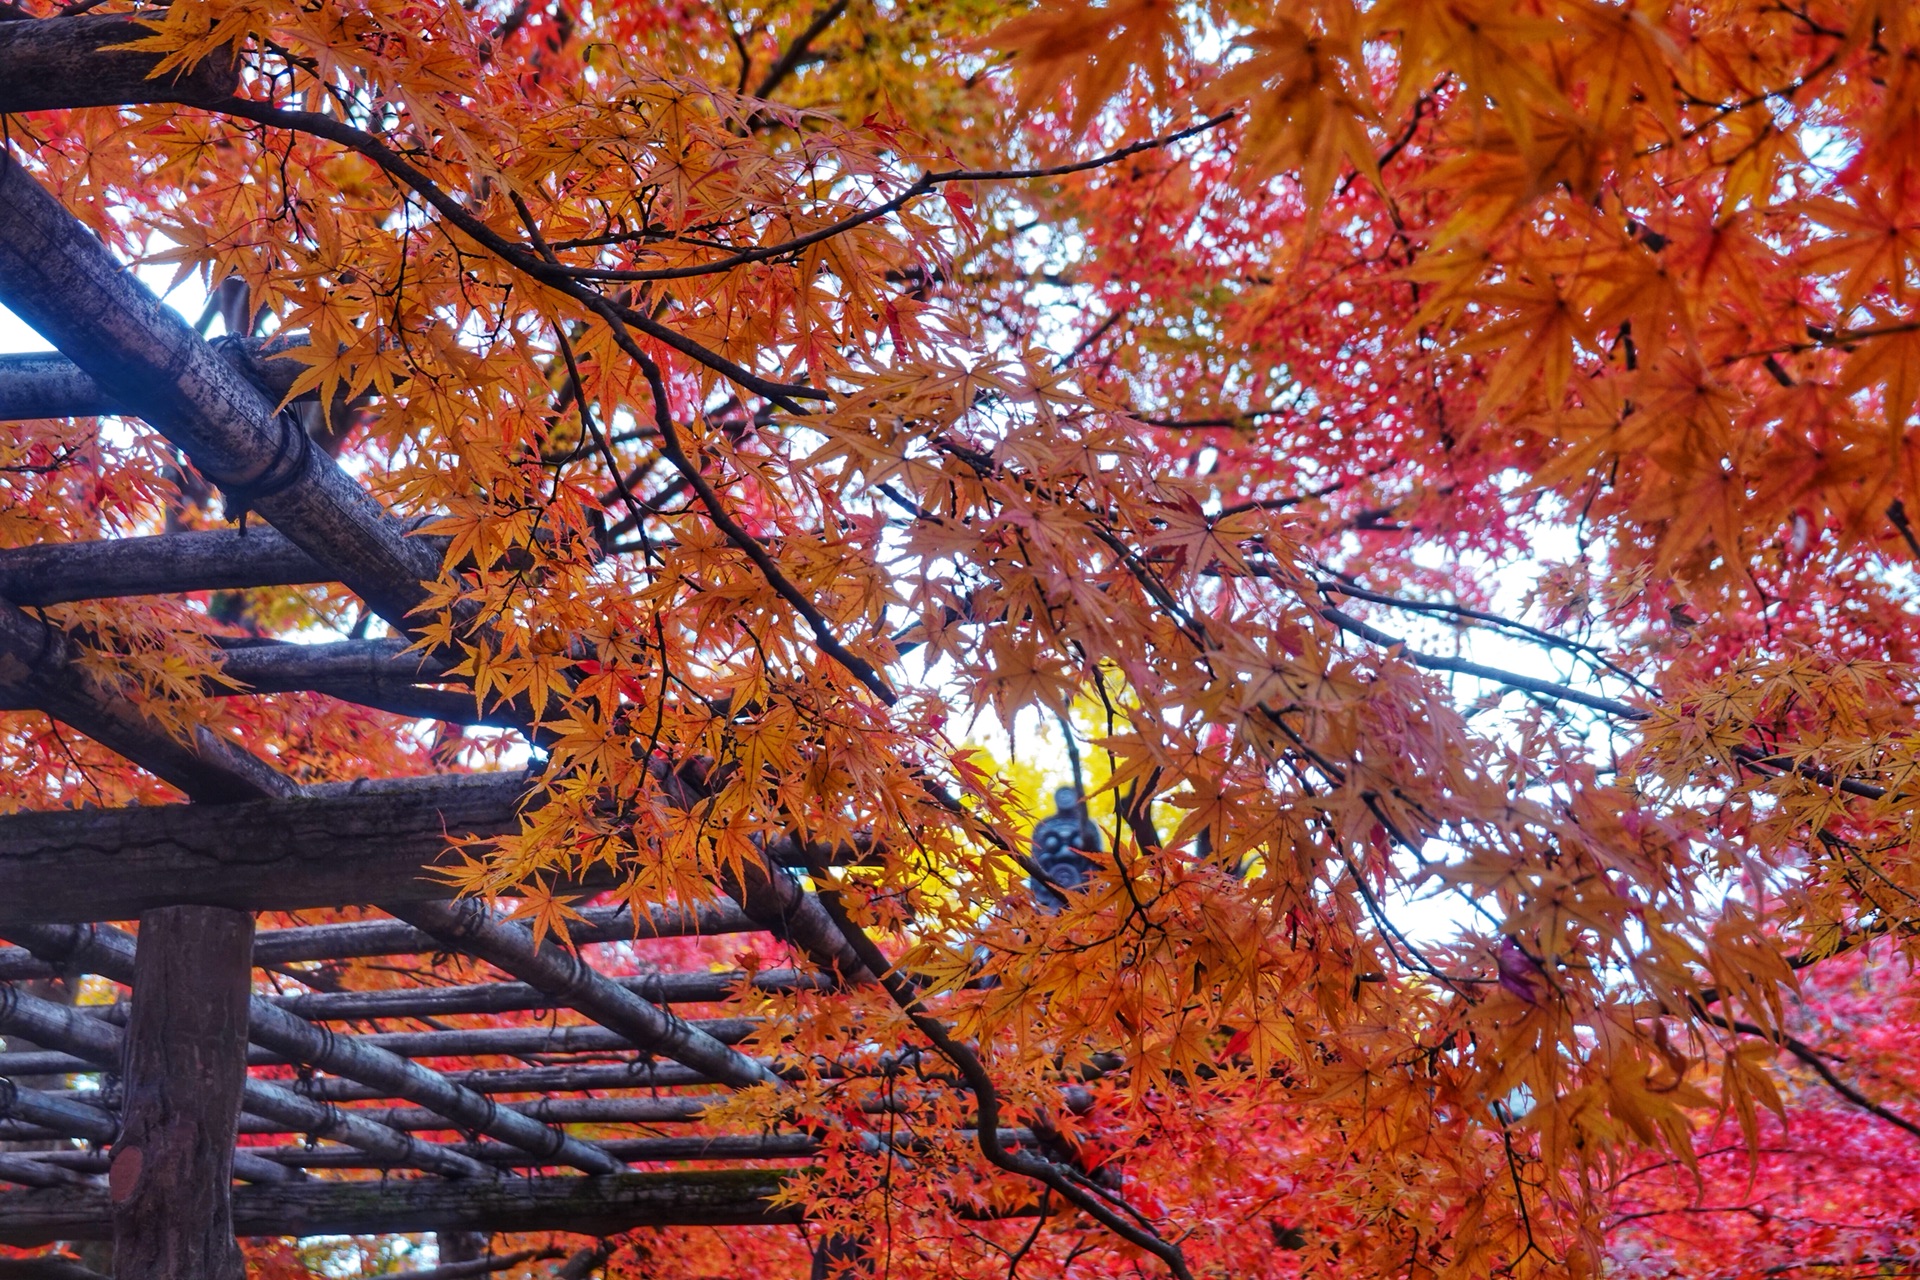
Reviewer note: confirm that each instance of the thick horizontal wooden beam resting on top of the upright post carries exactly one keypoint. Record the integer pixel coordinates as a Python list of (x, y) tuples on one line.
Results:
[(277, 855)]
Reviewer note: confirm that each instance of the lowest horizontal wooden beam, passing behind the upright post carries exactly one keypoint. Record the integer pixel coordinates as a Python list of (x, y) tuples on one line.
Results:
[(600, 1206)]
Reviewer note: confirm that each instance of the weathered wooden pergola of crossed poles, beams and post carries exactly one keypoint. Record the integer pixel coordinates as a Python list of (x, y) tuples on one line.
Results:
[(168, 1122)]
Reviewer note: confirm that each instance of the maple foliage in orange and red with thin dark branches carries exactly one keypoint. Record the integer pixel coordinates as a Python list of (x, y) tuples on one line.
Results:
[(802, 389)]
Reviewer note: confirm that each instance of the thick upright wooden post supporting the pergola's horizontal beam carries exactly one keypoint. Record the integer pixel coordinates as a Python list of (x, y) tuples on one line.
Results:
[(172, 1172)]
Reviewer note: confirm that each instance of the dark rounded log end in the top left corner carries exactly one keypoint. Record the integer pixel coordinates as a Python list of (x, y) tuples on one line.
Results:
[(68, 62)]
